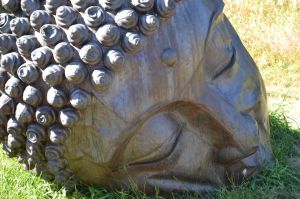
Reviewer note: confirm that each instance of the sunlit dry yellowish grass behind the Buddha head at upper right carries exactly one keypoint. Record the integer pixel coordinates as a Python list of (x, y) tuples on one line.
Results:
[(270, 29)]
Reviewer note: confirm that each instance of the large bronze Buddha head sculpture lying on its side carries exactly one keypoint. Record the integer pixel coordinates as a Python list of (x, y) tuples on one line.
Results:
[(161, 93)]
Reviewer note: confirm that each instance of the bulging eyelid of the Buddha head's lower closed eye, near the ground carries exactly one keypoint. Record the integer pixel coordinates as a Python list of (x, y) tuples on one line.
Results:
[(166, 126)]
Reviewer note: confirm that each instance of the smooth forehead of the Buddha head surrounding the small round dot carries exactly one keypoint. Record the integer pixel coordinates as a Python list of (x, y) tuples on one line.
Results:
[(146, 80)]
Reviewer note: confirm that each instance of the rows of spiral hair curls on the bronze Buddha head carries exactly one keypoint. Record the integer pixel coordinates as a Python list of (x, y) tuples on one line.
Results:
[(49, 55)]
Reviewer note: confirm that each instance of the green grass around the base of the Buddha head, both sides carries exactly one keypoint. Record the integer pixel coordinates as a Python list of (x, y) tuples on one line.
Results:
[(280, 181)]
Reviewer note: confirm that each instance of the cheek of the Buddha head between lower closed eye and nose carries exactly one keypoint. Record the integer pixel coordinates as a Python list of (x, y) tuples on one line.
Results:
[(197, 159)]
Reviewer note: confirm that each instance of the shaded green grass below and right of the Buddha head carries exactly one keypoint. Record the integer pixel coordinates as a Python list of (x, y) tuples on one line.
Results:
[(280, 181)]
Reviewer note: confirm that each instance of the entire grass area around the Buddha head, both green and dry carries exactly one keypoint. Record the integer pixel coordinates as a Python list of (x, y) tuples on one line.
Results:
[(271, 32)]
